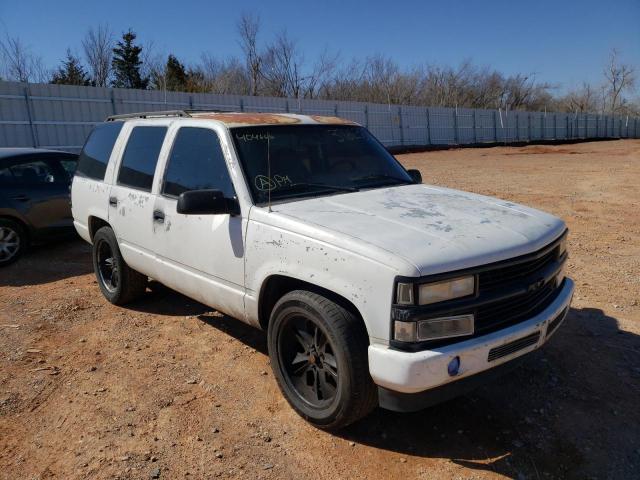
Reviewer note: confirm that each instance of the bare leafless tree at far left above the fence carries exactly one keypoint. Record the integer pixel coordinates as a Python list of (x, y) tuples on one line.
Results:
[(20, 64)]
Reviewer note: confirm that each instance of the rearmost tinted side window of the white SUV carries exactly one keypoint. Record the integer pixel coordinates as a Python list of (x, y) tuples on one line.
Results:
[(95, 155)]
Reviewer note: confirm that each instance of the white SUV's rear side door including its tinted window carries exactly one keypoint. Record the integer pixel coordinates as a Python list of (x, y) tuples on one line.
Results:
[(131, 198)]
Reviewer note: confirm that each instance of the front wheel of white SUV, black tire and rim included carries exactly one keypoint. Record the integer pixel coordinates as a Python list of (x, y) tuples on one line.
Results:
[(318, 353)]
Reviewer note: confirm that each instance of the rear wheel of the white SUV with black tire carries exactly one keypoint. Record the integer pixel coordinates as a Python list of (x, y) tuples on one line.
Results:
[(118, 282)]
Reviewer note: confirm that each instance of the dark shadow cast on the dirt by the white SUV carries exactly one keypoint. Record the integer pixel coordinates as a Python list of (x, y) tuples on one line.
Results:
[(567, 411)]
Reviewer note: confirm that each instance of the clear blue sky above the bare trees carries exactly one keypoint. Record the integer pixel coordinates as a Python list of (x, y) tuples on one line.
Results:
[(563, 42)]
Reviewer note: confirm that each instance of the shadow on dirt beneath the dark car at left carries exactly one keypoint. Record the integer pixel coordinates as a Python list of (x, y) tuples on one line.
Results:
[(49, 263)]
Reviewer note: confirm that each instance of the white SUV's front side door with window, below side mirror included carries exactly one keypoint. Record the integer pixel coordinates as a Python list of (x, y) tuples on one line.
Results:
[(201, 256)]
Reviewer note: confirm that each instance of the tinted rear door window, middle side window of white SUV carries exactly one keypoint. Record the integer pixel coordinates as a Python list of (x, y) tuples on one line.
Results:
[(140, 157)]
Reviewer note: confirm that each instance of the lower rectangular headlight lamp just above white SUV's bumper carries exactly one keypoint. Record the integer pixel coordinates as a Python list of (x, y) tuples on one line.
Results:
[(433, 328)]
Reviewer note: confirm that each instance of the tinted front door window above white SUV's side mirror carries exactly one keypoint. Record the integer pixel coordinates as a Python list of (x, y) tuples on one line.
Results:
[(196, 163)]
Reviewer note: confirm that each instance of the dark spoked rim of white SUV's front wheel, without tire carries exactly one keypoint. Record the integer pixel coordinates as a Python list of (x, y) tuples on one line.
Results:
[(308, 361)]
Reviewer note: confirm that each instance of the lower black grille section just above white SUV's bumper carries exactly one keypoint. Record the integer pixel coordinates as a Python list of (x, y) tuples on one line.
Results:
[(504, 313)]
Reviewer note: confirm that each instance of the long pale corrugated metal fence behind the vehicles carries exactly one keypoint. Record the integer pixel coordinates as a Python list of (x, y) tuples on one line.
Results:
[(61, 116)]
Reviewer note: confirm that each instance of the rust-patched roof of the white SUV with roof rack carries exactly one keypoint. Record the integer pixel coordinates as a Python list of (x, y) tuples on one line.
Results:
[(239, 119)]
